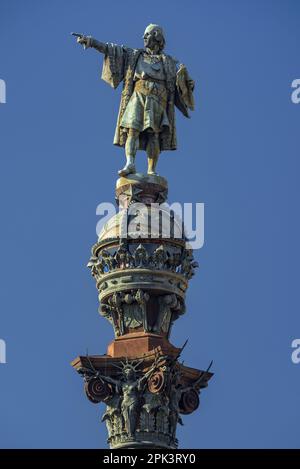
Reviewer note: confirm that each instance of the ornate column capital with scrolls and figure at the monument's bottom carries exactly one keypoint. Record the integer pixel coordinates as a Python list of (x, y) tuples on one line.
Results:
[(143, 402)]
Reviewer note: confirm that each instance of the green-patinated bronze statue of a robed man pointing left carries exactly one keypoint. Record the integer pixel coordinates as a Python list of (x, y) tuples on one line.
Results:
[(153, 84)]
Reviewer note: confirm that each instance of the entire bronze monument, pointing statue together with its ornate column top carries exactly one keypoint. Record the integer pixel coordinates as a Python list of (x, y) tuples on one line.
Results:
[(142, 277)]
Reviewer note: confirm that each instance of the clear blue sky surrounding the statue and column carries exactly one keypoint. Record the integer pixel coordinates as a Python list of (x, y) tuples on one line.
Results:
[(239, 154)]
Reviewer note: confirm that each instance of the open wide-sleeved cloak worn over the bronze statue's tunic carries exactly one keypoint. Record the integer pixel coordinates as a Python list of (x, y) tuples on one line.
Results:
[(119, 66)]
